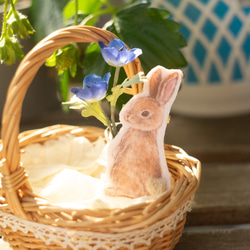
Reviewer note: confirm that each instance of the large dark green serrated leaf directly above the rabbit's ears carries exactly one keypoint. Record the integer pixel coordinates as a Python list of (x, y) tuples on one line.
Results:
[(140, 26)]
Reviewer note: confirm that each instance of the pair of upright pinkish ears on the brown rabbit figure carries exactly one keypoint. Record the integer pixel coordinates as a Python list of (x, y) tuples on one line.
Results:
[(162, 84)]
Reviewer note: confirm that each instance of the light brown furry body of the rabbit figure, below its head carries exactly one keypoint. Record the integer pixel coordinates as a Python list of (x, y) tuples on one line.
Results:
[(126, 177)]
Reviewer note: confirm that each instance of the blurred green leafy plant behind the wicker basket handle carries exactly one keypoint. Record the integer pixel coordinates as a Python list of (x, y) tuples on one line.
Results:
[(133, 21)]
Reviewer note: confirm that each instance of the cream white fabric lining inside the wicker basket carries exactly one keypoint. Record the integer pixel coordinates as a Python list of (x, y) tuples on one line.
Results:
[(70, 171)]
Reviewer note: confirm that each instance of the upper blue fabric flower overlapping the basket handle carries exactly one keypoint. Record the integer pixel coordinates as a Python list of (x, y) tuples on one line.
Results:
[(117, 54)]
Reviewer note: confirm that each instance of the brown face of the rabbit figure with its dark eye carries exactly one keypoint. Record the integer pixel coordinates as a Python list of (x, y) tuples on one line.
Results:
[(143, 113)]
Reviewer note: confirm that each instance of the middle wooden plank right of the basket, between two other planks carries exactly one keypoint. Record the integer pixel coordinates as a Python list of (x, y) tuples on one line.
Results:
[(223, 197)]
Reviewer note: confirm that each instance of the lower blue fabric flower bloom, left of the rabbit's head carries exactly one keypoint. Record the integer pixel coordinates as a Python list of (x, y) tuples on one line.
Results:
[(94, 88)]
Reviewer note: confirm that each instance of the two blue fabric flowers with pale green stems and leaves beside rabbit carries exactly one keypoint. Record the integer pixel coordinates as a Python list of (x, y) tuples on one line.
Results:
[(95, 87)]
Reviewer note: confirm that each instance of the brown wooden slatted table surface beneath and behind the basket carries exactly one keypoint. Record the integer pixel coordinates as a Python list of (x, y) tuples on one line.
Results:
[(220, 218)]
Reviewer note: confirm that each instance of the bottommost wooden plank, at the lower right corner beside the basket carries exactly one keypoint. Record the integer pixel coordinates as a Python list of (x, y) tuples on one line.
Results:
[(215, 238)]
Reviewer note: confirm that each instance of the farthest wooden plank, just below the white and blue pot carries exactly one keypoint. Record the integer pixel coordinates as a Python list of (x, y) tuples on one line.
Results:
[(212, 139)]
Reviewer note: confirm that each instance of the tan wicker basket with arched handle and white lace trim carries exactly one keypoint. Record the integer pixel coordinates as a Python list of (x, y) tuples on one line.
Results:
[(28, 221)]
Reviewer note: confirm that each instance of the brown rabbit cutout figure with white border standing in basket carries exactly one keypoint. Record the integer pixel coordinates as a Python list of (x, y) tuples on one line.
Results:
[(136, 159)]
